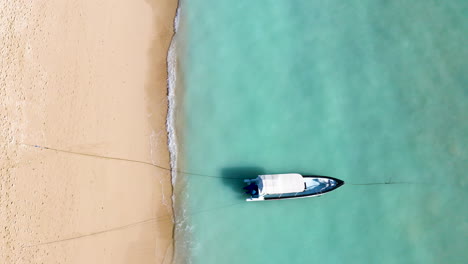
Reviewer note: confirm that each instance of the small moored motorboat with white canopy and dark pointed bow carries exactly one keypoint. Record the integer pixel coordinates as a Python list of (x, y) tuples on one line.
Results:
[(289, 186)]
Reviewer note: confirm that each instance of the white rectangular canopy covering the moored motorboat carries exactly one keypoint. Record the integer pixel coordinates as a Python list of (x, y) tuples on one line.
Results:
[(280, 183)]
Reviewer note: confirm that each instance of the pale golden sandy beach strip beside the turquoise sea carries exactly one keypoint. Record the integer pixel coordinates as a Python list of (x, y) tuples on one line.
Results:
[(82, 118)]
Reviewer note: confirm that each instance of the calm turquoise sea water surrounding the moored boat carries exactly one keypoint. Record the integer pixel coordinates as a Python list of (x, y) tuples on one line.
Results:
[(364, 91)]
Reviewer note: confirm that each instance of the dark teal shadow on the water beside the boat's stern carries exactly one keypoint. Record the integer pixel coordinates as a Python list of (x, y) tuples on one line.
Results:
[(234, 177)]
